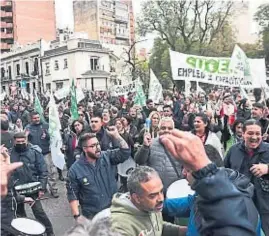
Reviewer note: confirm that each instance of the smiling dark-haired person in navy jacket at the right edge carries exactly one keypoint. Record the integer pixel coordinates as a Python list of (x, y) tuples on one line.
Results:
[(251, 158)]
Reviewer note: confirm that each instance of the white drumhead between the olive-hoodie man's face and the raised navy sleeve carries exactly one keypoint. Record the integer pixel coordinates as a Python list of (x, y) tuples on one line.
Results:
[(178, 189)]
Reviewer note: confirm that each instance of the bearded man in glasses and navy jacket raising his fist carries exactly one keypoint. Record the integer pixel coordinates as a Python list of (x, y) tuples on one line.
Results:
[(91, 180)]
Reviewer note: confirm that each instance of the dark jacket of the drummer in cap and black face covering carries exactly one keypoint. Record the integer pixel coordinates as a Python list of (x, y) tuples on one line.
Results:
[(34, 168)]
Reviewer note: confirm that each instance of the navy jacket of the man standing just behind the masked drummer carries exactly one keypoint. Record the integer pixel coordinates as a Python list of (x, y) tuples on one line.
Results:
[(35, 136)]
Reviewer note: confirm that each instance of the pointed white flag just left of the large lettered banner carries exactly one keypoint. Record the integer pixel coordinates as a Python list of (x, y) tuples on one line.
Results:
[(155, 88)]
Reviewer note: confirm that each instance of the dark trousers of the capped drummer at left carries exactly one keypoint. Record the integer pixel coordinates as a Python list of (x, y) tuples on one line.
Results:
[(38, 212)]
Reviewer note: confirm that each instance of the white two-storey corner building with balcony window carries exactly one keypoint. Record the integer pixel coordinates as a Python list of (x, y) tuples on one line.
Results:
[(81, 59)]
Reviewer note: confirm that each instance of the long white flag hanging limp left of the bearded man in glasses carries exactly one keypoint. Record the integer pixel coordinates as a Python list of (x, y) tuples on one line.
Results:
[(55, 135)]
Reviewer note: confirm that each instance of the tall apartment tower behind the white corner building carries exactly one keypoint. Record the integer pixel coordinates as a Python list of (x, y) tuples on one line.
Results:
[(110, 21)]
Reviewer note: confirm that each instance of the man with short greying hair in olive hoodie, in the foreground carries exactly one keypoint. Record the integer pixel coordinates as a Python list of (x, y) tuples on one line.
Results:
[(139, 211)]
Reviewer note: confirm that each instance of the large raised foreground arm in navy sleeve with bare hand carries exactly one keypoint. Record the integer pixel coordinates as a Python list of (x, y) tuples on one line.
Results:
[(223, 212)]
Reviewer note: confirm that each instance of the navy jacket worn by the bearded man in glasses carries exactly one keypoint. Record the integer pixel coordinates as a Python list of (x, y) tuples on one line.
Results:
[(94, 186)]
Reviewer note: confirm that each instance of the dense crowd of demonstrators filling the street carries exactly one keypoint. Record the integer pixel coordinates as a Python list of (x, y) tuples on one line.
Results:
[(190, 137)]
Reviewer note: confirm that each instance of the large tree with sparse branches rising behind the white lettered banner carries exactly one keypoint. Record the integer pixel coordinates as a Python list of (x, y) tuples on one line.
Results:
[(193, 27)]
